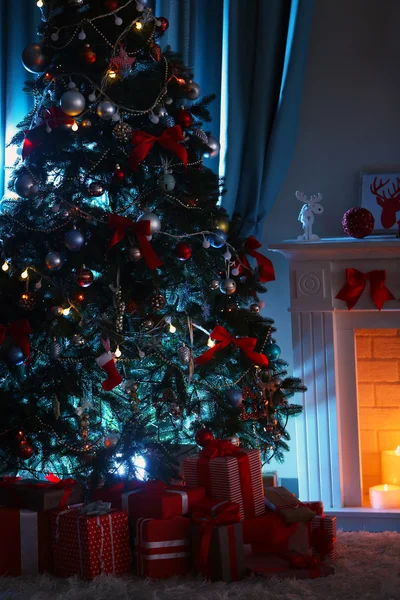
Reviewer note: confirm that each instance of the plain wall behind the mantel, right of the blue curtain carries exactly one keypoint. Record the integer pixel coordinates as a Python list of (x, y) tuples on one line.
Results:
[(350, 121)]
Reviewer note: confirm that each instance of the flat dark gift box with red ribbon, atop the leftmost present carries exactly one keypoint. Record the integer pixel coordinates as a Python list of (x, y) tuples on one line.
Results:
[(39, 496)]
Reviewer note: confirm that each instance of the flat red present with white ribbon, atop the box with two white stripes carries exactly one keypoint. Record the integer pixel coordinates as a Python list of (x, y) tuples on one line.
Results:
[(154, 500)]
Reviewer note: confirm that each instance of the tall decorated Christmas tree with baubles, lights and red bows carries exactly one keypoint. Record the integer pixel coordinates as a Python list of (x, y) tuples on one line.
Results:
[(131, 320)]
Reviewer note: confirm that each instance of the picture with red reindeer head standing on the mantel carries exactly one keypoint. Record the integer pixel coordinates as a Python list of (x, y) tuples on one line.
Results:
[(380, 194)]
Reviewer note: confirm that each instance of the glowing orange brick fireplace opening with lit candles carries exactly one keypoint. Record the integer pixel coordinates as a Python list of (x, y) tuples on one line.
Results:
[(378, 396)]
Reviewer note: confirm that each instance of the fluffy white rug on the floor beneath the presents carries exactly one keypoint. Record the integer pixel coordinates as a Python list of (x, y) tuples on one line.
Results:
[(368, 568)]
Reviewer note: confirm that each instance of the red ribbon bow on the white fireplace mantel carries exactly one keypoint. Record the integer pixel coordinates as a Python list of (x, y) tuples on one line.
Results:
[(356, 282)]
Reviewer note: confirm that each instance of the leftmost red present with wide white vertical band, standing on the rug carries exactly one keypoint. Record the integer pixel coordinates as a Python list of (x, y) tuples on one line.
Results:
[(25, 547)]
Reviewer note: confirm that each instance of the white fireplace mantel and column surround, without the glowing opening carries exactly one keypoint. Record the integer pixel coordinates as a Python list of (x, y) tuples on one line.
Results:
[(328, 449)]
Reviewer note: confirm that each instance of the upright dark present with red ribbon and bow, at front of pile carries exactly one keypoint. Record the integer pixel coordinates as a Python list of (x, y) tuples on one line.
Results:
[(218, 541)]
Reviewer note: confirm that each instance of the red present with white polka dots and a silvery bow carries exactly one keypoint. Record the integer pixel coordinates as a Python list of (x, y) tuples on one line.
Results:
[(90, 541)]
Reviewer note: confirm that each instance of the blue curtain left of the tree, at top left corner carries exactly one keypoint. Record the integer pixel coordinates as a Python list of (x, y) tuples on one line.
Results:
[(17, 30)]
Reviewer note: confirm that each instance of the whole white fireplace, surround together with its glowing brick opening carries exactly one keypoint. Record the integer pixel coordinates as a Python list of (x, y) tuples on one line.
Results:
[(348, 361)]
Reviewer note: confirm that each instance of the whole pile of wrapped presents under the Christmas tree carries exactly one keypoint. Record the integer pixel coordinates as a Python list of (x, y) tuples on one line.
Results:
[(225, 522)]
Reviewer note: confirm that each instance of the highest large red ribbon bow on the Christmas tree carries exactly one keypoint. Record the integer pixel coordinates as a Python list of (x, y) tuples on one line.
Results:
[(169, 140)]
